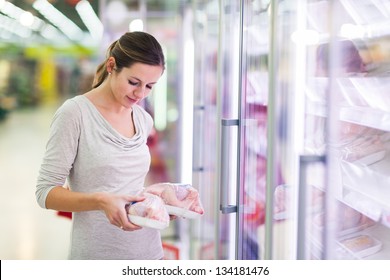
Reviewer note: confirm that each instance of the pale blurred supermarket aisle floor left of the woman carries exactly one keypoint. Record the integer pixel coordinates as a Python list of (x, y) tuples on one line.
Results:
[(27, 231)]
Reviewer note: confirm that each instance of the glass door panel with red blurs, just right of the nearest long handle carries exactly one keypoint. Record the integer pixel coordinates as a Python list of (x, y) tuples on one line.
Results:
[(253, 99)]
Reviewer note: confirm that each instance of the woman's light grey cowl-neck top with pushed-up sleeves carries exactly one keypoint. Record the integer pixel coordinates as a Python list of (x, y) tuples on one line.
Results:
[(87, 150)]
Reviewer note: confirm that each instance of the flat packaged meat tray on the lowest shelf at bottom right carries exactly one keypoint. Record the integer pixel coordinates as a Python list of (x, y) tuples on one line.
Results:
[(361, 245)]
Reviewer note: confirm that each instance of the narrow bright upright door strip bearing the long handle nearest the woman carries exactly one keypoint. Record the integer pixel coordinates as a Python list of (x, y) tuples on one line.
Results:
[(228, 118)]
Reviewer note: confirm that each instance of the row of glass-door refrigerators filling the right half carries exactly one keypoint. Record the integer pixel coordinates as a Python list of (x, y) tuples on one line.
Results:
[(291, 129)]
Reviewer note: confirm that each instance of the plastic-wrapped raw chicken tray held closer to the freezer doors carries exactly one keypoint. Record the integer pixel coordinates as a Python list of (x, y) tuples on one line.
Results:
[(181, 200)]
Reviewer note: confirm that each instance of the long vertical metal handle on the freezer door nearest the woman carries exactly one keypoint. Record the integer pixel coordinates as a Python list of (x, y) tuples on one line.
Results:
[(227, 165)]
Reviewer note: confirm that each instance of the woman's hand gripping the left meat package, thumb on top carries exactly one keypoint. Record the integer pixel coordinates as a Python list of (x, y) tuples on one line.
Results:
[(115, 208)]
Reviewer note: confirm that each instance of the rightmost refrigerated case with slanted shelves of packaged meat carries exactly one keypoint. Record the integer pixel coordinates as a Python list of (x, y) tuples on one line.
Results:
[(346, 122)]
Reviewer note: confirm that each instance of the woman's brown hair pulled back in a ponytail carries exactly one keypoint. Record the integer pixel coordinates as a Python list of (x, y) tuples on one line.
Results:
[(130, 48)]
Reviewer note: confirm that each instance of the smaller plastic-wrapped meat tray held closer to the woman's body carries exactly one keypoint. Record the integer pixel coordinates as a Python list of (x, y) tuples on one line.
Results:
[(150, 212)]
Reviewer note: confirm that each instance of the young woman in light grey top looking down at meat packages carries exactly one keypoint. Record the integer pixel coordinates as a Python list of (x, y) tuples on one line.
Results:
[(98, 142)]
